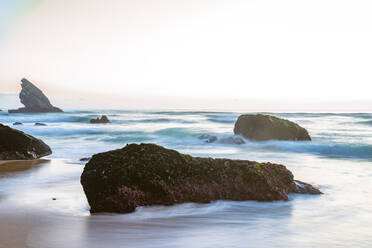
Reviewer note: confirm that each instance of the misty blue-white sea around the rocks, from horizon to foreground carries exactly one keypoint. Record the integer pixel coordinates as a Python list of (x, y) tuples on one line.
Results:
[(338, 161)]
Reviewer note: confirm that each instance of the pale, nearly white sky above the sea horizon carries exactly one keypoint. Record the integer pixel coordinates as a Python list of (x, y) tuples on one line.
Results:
[(269, 55)]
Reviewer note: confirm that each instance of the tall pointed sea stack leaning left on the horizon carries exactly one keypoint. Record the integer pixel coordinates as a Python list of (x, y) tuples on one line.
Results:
[(34, 100)]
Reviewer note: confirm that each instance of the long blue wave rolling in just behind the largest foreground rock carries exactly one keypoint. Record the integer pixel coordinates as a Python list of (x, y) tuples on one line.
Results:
[(190, 137)]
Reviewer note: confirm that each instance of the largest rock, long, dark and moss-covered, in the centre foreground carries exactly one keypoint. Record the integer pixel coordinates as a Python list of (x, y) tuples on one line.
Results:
[(148, 174)]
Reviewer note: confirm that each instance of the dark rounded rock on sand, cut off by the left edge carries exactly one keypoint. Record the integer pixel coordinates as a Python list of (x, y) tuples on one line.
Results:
[(16, 145)]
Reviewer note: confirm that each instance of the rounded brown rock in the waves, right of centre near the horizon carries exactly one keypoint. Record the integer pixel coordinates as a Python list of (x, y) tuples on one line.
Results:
[(266, 127)]
